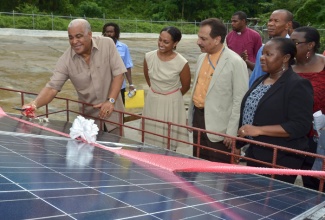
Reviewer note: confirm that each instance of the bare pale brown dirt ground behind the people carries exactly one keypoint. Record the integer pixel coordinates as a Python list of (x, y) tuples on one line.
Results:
[(26, 63)]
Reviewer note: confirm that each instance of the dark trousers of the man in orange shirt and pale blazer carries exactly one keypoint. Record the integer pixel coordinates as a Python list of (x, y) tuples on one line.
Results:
[(198, 122)]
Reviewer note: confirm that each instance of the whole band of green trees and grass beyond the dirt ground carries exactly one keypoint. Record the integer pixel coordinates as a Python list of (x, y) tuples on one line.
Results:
[(155, 14)]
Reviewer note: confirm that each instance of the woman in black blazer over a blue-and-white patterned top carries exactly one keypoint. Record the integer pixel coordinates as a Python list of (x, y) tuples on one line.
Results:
[(277, 109)]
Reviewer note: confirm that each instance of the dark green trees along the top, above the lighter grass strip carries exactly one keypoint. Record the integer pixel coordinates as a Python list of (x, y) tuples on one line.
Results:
[(307, 12)]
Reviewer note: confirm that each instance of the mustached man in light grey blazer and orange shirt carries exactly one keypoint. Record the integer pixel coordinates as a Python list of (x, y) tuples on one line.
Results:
[(221, 81)]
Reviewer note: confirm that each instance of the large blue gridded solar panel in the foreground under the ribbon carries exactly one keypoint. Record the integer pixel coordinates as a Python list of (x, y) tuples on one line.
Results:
[(45, 175)]
